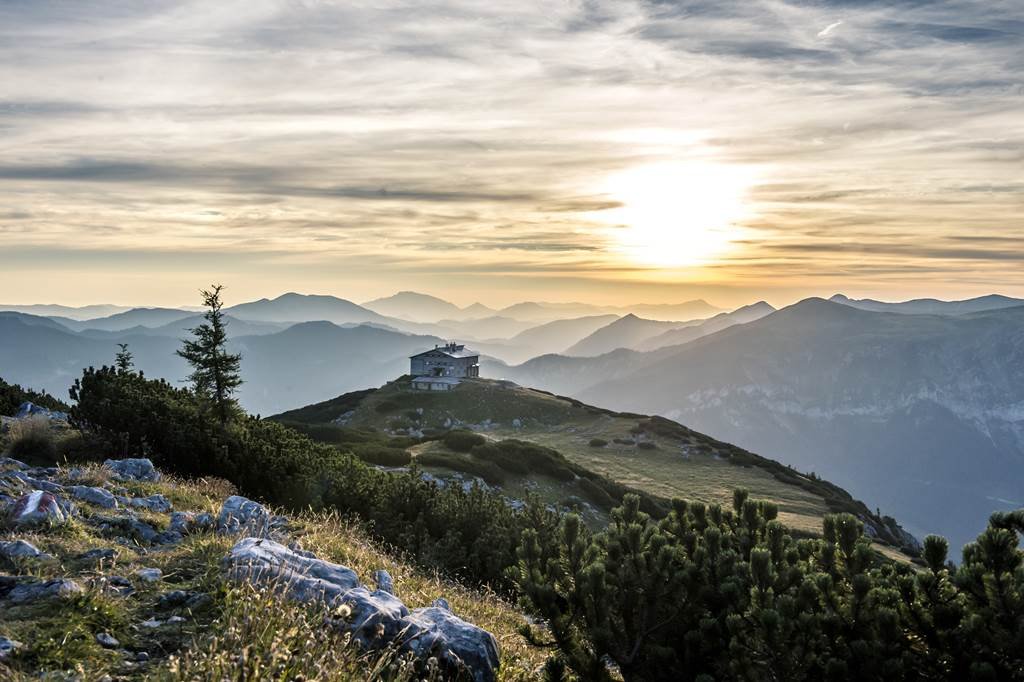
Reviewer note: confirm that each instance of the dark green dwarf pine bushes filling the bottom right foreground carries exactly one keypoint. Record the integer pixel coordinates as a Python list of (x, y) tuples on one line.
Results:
[(729, 594)]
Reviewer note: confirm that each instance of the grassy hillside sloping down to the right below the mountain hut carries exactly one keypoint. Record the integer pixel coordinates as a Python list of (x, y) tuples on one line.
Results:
[(655, 456)]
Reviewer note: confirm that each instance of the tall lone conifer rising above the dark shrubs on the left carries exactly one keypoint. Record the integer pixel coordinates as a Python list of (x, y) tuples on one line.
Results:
[(216, 372)]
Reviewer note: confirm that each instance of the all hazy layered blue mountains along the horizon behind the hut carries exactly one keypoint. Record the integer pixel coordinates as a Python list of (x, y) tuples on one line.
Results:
[(916, 407)]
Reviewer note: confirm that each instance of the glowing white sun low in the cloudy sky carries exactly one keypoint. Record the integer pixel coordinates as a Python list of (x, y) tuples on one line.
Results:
[(677, 215)]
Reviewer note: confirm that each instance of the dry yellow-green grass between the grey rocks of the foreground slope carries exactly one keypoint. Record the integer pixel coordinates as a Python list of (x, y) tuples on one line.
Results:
[(205, 646)]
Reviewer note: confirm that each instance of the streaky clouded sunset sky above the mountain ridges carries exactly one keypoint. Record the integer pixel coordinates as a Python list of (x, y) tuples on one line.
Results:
[(606, 152)]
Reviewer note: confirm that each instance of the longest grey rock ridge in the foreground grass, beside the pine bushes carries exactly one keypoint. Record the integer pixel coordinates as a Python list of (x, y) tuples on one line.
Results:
[(375, 619)]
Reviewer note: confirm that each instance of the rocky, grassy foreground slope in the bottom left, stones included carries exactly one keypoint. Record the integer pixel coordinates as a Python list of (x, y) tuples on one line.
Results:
[(116, 573)]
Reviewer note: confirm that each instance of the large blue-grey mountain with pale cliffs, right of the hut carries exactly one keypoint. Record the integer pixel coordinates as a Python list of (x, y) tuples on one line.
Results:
[(922, 415)]
